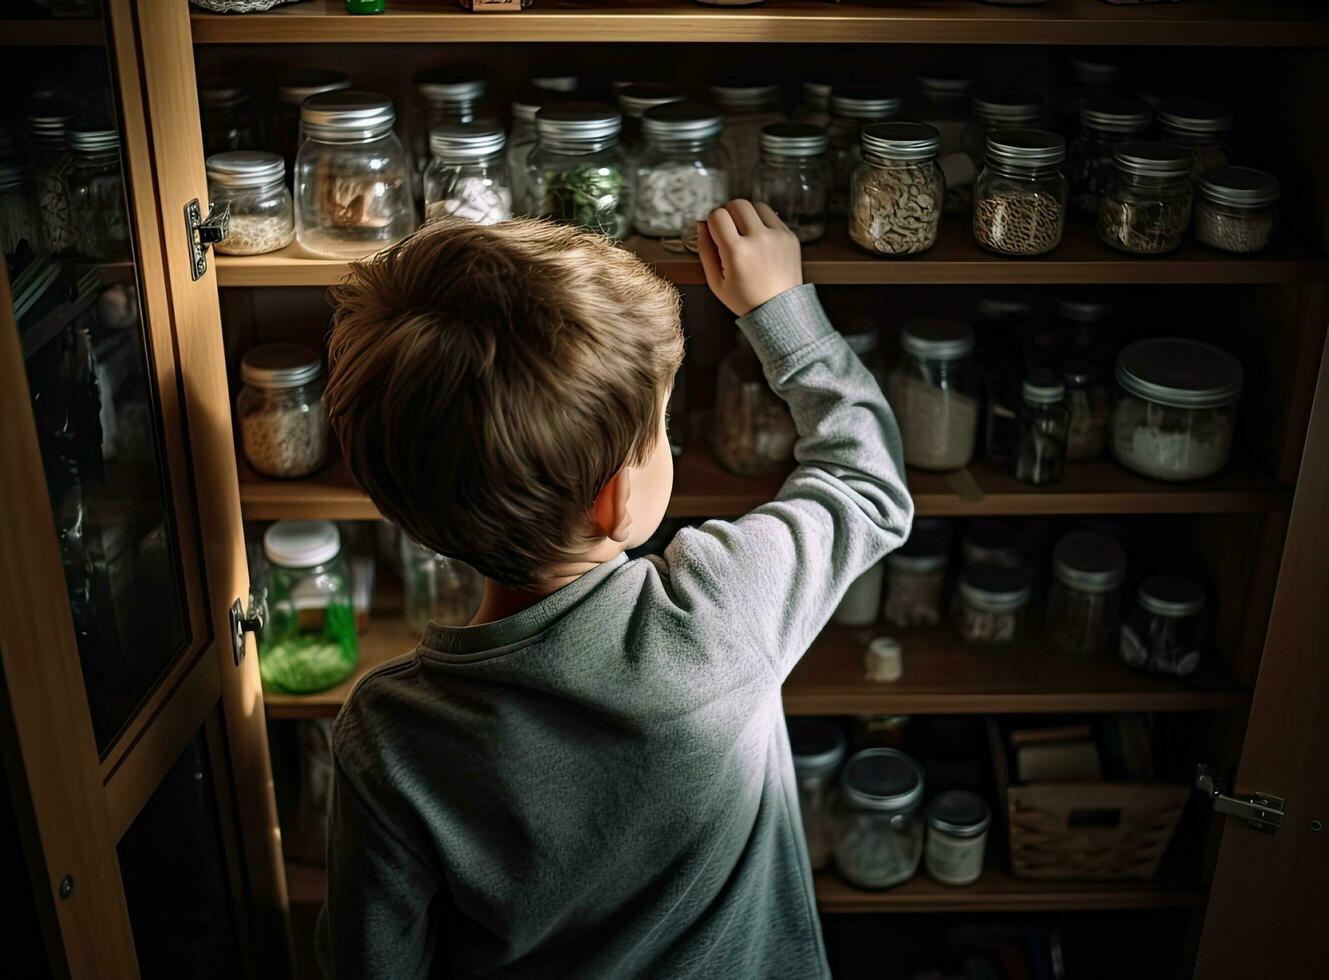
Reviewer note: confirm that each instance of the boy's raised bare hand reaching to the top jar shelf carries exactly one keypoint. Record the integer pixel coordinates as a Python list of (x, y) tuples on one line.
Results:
[(749, 256)]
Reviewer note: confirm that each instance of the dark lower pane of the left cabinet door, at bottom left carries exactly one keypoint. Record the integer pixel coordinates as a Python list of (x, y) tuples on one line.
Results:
[(175, 876)]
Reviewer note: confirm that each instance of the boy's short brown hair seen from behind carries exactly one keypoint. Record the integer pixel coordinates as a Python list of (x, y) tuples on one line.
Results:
[(486, 384)]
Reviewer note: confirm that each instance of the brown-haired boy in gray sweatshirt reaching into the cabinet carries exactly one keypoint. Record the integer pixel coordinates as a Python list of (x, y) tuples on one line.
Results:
[(593, 780)]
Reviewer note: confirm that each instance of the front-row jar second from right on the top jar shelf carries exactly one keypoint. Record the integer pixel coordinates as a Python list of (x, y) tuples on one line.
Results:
[(1146, 208)]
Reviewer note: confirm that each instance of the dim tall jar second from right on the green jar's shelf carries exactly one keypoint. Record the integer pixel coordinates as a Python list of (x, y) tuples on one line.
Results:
[(1084, 611)]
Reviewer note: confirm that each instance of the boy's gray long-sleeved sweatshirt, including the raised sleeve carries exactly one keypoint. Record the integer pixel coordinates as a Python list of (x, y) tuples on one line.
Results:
[(601, 785)]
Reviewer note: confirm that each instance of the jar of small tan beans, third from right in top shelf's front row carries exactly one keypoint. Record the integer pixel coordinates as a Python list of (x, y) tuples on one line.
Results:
[(1020, 204)]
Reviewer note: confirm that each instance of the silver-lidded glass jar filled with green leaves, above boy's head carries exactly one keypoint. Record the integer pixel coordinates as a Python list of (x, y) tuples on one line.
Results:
[(577, 172)]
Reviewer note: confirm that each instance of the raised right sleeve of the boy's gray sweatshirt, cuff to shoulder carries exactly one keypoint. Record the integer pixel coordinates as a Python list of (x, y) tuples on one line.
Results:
[(777, 575)]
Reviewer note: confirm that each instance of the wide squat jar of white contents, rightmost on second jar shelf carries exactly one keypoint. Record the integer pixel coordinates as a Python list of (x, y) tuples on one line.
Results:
[(1176, 412)]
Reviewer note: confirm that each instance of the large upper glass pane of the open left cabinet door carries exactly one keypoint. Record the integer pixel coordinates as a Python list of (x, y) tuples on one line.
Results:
[(68, 247)]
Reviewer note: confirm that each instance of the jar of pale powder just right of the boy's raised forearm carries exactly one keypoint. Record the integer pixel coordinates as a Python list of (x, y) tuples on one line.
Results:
[(935, 393)]
